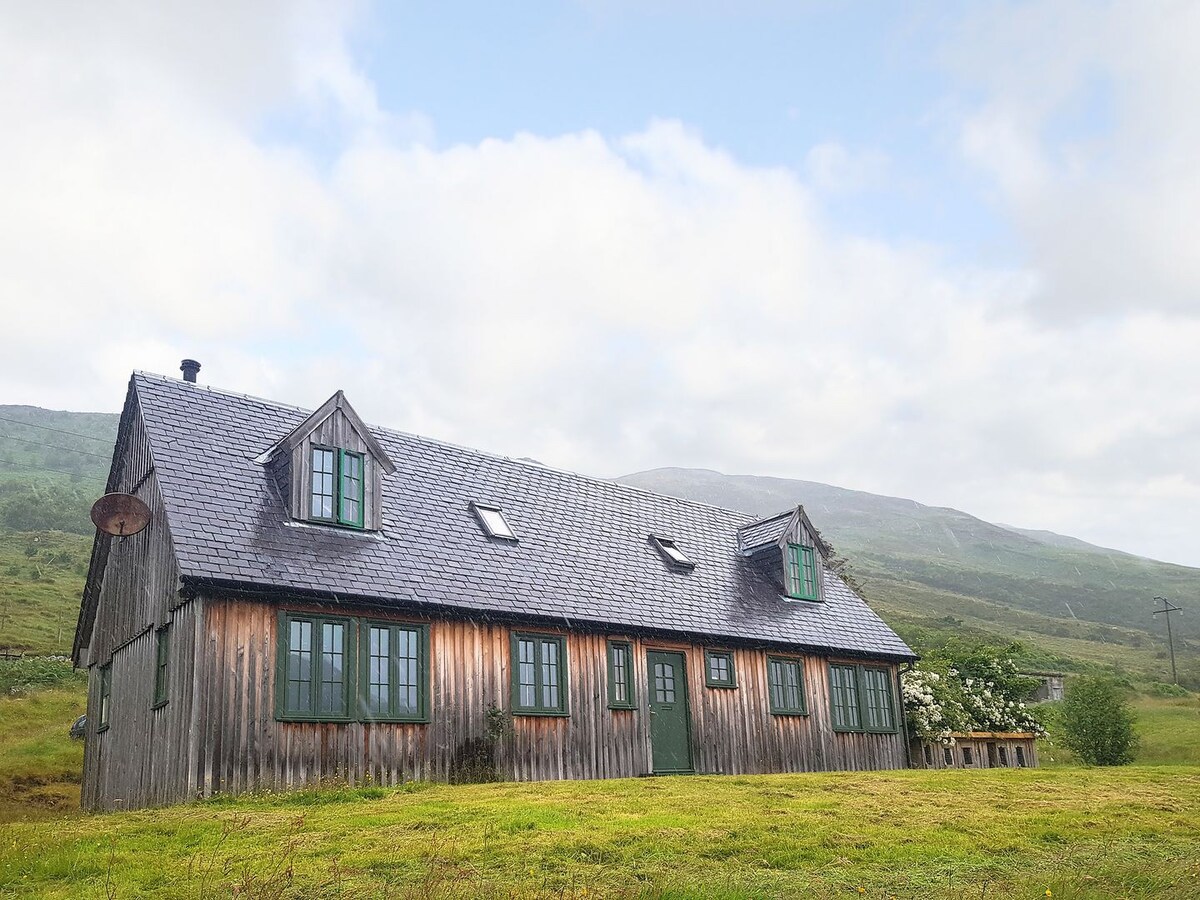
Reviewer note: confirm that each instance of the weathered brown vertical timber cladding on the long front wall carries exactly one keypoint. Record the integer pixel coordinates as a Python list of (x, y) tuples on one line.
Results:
[(242, 746)]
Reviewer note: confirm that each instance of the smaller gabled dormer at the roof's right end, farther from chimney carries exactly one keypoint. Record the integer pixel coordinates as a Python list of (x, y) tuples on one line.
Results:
[(790, 551)]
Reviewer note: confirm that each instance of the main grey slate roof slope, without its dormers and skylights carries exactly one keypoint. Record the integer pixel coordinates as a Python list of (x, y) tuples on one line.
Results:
[(584, 553)]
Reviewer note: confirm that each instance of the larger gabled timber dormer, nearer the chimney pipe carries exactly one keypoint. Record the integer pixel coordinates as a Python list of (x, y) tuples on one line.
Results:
[(331, 469)]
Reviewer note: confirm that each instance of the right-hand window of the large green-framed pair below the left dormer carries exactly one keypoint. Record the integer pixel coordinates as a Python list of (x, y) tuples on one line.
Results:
[(394, 673)]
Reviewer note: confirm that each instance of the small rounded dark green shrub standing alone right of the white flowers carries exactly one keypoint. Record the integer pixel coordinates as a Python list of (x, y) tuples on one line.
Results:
[(1097, 723)]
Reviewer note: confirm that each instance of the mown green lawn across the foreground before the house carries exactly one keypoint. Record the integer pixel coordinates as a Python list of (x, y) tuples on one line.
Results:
[(1079, 833)]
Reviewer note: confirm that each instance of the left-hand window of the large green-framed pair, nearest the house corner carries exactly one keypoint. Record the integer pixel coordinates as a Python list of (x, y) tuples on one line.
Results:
[(316, 669)]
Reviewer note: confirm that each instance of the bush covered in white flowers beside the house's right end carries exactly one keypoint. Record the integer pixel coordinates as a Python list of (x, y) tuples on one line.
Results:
[(982, 693)]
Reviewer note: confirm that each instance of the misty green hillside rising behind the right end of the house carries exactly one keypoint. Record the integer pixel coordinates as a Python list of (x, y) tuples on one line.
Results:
[(941, 569)]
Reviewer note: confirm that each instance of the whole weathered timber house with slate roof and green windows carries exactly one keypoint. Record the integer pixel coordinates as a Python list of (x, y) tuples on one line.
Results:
[(317, 599)]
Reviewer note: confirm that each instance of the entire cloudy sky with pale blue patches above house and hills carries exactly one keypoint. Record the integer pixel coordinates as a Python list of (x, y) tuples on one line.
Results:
[(935, 251)]
